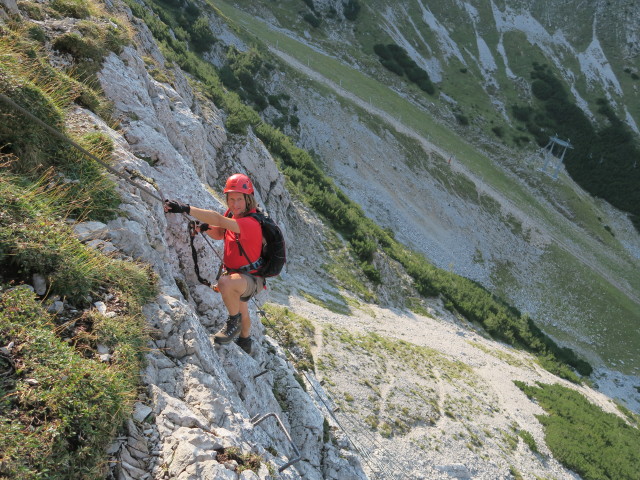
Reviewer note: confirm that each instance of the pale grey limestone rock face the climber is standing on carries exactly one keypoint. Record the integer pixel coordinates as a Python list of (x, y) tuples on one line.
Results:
[(196, 419)]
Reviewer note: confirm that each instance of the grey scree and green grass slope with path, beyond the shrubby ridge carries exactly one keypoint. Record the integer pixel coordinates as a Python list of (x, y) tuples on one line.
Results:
[(539, 242)]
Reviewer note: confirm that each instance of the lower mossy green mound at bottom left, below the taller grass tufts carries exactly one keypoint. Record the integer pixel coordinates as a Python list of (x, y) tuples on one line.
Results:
[(59, 405)]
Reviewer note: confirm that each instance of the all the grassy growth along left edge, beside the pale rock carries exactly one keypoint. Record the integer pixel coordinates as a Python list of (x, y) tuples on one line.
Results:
[(60, 405)]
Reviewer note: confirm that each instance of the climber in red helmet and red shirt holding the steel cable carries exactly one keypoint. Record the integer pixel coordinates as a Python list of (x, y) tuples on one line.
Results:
[(242, 235)]
